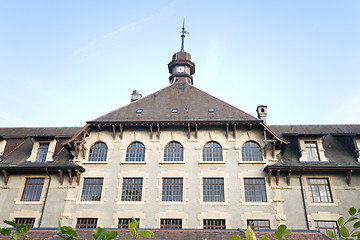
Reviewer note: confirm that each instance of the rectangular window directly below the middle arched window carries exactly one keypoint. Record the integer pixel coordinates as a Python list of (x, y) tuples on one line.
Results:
[(172, 189)]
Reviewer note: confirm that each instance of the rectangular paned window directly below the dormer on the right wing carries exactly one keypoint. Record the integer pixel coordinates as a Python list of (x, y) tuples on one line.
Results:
[(319, 190)]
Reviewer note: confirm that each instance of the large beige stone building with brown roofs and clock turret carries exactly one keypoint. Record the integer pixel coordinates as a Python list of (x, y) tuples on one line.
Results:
[(180, 158)]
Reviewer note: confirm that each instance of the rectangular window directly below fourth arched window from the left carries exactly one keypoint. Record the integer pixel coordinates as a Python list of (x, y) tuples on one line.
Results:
[(213, 190)]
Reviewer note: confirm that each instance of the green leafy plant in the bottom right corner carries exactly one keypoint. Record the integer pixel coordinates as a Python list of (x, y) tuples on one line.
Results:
[(344, 233)]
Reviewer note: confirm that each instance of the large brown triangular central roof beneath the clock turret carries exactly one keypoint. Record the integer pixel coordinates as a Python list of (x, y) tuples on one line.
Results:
[(191, 103)]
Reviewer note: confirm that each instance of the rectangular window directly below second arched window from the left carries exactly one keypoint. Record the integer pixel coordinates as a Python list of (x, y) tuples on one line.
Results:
[(132, 189)]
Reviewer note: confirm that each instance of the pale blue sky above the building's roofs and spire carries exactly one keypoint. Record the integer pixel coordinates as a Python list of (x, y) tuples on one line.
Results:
[(63, 63)]
